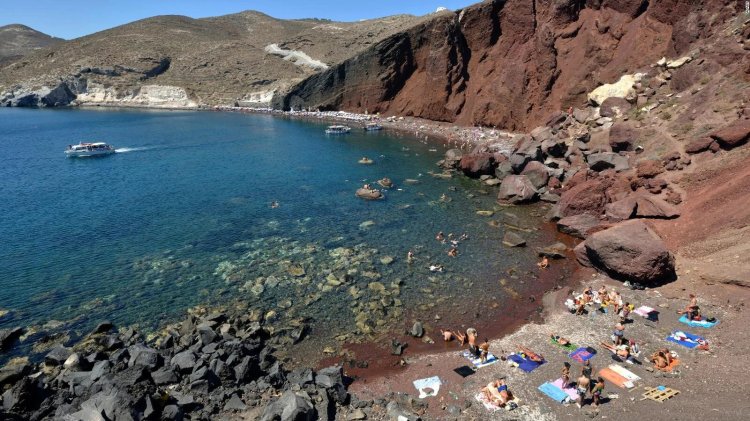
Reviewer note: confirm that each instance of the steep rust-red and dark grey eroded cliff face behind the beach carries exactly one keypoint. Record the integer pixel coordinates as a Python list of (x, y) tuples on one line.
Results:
[(508, 63)]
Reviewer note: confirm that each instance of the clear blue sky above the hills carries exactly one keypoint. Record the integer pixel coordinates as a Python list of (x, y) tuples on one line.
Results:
[(74, 18)]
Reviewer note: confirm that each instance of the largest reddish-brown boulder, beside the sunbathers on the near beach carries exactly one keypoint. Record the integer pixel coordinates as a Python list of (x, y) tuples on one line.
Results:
[(631, 251)]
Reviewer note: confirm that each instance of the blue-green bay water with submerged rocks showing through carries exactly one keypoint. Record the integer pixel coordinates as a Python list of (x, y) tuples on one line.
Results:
[(181, 216)]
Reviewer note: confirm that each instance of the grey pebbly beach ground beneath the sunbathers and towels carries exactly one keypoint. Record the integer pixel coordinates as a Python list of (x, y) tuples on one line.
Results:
[(709, 381)]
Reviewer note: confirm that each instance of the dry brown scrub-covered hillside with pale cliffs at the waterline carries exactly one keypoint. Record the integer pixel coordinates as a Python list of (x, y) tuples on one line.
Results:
[(180, 61)]
